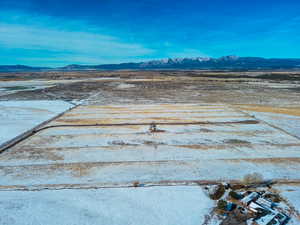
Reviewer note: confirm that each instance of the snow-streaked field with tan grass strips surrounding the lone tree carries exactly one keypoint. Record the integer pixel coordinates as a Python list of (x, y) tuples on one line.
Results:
[(121, 153)]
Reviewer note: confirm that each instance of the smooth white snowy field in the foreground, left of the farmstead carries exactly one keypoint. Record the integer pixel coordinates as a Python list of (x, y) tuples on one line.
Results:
[(121, 206)]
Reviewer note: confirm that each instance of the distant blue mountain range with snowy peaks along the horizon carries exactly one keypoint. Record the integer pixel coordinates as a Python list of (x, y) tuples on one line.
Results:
[(226, 62)]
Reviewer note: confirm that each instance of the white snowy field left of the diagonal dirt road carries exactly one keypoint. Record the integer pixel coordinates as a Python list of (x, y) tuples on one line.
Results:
[(17, 117)]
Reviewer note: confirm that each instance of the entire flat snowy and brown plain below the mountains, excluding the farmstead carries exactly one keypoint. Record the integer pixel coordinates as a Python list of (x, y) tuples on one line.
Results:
[(101, 162)]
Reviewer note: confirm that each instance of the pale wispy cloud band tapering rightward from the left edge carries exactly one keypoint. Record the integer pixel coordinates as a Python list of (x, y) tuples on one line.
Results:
[(26, 37)]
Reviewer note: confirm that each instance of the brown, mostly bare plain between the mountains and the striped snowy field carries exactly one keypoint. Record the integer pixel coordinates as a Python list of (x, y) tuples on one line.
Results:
[(143, 87)]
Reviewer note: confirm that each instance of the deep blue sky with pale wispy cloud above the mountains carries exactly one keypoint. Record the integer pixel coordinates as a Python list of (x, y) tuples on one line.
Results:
[(60, 32)]
